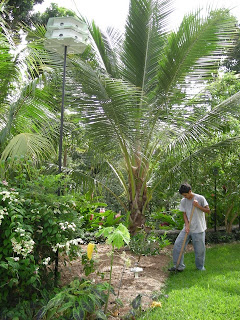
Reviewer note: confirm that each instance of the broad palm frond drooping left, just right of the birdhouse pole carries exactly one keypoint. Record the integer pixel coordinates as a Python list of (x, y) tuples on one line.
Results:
[(106, 104)]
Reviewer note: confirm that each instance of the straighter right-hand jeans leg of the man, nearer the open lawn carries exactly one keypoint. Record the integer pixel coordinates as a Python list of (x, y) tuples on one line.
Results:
[(198, 240)]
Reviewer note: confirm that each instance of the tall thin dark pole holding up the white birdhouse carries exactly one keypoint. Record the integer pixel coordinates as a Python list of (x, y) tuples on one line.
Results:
[(60, 149)]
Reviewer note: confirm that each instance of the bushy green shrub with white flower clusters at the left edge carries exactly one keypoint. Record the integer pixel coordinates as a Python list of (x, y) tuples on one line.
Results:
[(33, 231)]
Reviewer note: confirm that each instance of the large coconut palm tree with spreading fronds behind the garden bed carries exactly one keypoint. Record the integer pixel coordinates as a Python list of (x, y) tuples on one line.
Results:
[(134, 92)]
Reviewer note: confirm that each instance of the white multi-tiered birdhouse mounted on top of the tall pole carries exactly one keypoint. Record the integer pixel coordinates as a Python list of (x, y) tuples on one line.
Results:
[(66, 31)]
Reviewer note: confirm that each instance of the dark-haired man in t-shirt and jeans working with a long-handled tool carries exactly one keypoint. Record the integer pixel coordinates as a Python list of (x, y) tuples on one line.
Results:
[(195, 231)]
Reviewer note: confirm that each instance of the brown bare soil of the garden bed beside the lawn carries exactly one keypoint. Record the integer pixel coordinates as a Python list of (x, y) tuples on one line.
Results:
[(127, 286)]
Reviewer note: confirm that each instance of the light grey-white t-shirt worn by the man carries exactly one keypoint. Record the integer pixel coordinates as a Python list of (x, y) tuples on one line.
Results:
[(198, 223)]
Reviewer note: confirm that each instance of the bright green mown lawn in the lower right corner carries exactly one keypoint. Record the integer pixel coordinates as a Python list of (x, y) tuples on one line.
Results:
[(203, 295)]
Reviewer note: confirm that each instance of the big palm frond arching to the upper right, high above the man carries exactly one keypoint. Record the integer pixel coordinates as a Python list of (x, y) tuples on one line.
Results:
[(195, 50)]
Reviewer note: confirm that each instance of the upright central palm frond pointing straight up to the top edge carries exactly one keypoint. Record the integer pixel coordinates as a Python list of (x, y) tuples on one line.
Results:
[(144, 35)]
